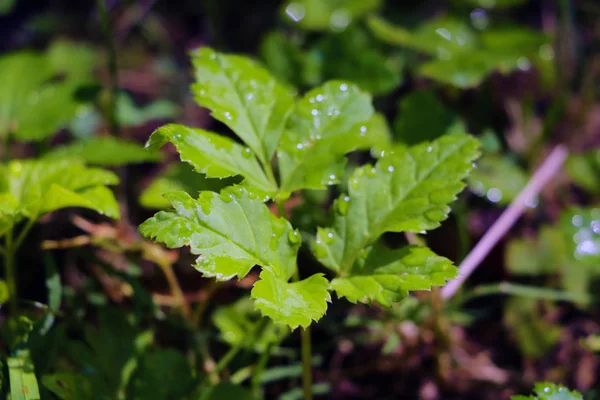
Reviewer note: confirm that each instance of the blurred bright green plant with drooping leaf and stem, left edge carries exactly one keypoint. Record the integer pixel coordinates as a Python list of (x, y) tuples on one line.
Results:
[(30, 189)]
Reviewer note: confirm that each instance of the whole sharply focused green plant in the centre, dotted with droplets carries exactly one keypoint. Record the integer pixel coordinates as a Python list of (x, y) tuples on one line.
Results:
[(300, 142)]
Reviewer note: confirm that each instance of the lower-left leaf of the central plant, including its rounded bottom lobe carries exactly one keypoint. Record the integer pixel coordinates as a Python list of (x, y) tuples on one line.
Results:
[(233, 231)]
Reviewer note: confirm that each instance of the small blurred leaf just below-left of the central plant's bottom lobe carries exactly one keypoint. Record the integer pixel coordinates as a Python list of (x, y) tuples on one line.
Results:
[(240, 325)]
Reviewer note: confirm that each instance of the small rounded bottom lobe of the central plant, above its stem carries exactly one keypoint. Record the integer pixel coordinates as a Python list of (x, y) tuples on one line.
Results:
[(294, 304)]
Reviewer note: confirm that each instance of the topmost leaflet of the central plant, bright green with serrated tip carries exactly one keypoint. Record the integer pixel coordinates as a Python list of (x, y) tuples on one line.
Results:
[(244, 96)]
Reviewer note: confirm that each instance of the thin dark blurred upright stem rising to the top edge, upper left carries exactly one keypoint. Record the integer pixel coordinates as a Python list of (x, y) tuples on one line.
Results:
[(112, 66)]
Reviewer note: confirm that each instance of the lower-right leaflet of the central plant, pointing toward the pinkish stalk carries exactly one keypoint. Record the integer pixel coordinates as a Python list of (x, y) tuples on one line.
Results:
[(386, 276)]
